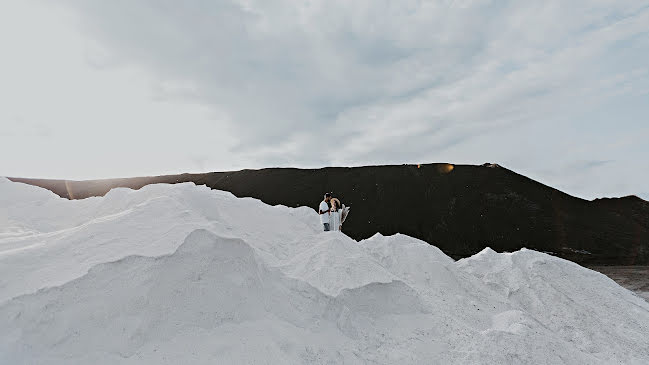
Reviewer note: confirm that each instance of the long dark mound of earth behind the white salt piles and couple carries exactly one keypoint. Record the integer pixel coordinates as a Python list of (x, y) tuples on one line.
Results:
[(459, 208)]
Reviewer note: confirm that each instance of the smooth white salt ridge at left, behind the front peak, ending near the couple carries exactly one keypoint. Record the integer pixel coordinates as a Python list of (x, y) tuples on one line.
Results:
[(61, 239)]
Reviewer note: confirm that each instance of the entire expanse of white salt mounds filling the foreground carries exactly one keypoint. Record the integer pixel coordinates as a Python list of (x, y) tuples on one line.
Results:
[(177, 274)]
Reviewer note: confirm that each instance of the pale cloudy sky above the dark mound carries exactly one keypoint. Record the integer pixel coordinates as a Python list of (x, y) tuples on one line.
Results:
[(554, 90)]
